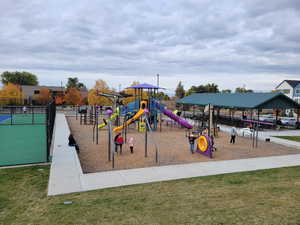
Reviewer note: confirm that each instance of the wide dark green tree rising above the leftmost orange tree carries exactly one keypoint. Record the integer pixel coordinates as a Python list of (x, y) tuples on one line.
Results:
[(19, 78)]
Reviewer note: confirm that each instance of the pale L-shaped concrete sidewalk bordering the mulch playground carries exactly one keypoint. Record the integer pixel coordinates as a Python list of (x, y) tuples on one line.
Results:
[(66, 175)]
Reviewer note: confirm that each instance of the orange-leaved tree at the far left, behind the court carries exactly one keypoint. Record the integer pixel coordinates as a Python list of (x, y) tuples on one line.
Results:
[(11, 94)]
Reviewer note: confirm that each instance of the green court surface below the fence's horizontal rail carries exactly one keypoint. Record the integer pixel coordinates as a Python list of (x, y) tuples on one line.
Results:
[(22, 144)]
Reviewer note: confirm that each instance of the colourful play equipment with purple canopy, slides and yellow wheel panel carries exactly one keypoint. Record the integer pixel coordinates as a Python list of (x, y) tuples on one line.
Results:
[(145, 112)]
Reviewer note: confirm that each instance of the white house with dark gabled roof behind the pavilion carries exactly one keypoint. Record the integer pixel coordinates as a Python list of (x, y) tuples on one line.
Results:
[(290, 88)]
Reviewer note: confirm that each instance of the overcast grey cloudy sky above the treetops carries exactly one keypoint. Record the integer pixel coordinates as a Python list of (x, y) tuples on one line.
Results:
[(231, 43)]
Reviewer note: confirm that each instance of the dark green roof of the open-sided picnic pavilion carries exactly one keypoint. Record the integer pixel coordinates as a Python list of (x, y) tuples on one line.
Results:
[(241, 100)]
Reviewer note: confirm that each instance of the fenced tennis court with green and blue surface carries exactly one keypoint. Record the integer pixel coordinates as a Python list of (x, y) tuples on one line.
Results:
[(23, 137)]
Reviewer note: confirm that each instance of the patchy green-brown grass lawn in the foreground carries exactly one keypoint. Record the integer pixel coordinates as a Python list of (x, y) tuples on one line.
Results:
[(261, 197)]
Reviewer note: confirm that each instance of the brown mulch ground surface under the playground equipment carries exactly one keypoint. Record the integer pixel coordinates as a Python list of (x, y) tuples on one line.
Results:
[(172, 144)]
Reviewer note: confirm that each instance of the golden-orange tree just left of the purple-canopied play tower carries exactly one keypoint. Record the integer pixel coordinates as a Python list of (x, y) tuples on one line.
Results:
[(93, 96)]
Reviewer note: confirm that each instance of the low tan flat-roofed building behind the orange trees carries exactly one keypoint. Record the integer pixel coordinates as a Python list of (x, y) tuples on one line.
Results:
[(30, 91)]
